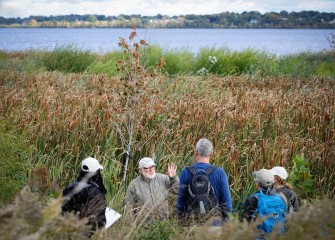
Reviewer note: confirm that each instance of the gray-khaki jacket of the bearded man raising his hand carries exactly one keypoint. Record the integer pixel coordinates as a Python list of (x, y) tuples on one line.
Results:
[(151, 194)]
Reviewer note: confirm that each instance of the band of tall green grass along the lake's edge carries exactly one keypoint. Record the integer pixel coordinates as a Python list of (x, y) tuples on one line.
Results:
[(250, 62)]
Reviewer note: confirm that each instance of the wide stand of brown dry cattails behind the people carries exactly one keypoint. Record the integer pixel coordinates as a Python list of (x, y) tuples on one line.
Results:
[(253, 124)]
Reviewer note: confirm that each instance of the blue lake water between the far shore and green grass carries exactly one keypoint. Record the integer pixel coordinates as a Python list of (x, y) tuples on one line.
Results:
[(273, 41)]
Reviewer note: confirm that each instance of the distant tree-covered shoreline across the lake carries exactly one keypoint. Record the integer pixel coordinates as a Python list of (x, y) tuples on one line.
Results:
[(252, 19)]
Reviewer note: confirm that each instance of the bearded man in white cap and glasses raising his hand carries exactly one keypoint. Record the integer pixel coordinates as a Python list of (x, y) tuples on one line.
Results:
[(150, 189)]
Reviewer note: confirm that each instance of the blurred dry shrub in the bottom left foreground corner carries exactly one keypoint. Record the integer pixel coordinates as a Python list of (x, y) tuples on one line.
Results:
[(30, 218)]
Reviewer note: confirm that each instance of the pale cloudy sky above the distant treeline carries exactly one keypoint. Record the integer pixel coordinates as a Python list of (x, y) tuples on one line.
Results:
[(26, 8)]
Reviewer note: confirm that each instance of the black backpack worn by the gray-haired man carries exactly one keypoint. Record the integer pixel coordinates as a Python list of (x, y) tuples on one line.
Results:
[(201, 194)]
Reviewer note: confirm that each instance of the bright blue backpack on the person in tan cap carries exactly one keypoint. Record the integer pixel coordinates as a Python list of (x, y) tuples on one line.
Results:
[(273, 209)]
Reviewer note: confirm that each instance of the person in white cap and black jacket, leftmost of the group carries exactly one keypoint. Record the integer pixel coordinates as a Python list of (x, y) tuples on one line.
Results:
[(86, 195)]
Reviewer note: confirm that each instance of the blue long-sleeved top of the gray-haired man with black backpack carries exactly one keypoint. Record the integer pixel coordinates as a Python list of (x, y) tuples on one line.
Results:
[(219, 181)]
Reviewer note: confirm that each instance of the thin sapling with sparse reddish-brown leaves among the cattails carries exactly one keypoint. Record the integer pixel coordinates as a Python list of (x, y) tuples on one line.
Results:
[(132, 92)]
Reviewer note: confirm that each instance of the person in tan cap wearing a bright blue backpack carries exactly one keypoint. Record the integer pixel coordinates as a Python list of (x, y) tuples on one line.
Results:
[(265, 202)]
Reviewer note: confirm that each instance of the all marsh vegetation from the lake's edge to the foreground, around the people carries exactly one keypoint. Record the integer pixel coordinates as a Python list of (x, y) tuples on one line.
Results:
[(260, 111)]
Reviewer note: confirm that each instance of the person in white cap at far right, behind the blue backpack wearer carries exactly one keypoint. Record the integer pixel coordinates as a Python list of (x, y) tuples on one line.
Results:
[(281, 186)]
